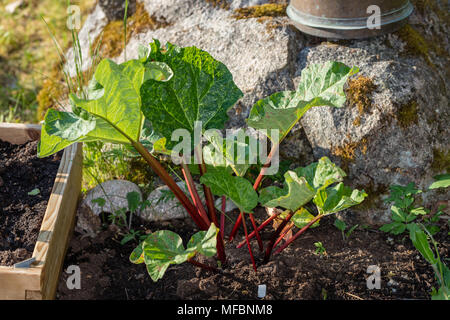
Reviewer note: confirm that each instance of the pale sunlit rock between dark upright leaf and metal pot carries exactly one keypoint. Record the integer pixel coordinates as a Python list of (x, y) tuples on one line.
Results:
[(260, 58)]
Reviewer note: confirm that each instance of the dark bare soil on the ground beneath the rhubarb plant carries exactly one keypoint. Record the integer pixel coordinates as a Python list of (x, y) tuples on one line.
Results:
[(296, 273)]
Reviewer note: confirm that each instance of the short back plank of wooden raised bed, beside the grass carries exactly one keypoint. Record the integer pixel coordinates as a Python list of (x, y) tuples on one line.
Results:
[(18, 133)]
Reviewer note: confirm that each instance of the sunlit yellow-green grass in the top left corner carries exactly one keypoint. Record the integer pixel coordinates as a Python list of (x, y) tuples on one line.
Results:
[(28, 55)]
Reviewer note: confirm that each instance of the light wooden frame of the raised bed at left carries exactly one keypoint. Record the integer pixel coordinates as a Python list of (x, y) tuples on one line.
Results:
[(40, 280)]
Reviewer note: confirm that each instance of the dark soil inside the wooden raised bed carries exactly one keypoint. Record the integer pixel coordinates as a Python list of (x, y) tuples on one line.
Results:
[(21, 171)]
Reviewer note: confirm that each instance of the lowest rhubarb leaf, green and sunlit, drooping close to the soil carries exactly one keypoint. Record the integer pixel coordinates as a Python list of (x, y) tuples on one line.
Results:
[(163, 248)]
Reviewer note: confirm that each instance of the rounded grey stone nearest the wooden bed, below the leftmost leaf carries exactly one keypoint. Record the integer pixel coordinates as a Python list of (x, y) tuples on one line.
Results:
[(114, 192)]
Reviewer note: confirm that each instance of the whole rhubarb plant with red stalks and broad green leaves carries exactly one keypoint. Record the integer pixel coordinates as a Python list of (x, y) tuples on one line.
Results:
[(170, 92)]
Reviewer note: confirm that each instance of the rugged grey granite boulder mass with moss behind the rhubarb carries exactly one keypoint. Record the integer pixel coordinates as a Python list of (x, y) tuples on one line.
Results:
[(394, 128)]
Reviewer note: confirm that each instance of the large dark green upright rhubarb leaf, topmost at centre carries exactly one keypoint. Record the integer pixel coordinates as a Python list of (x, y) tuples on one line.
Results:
[(201, 89)]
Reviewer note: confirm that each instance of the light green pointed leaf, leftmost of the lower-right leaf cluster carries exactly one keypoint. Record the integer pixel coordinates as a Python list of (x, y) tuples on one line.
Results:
[(296, 193)]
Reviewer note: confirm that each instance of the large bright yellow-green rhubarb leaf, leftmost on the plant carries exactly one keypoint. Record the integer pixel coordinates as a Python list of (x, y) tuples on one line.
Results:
[(111, 114)]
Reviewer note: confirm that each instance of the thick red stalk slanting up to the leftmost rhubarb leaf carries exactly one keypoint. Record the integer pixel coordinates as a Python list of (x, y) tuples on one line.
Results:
[(168, 180)]
